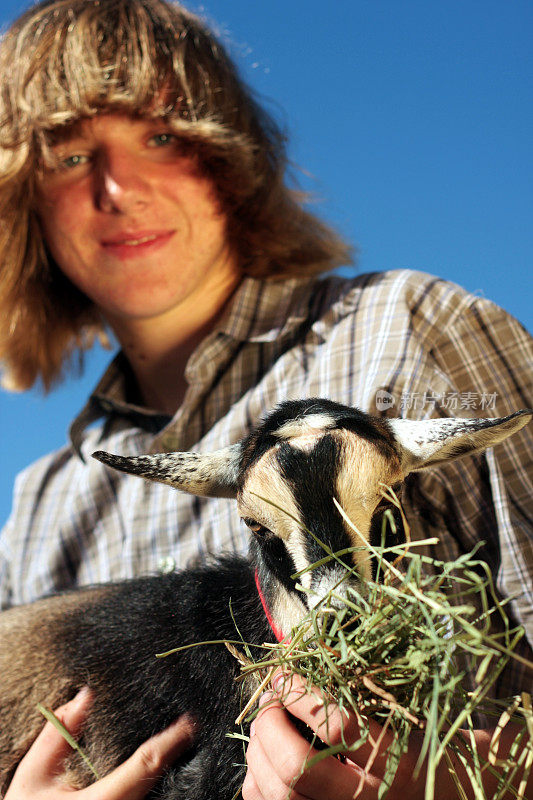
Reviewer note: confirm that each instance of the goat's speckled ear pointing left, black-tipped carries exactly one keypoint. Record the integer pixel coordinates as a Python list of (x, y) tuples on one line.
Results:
[(208, 475)]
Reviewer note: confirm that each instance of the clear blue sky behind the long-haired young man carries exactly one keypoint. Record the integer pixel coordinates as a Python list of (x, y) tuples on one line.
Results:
[(413, 121)]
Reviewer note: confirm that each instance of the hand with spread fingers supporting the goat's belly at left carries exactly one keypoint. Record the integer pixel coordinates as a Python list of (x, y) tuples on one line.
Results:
[(38, 774)]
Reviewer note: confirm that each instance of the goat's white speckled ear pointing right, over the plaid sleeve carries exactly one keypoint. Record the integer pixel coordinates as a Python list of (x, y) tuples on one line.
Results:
[(425, 443)]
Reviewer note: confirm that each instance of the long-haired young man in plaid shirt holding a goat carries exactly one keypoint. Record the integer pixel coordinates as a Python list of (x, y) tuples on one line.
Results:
[(143, 191)]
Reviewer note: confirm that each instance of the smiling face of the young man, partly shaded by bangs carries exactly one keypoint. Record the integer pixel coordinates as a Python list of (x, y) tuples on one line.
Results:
[(132, 223)]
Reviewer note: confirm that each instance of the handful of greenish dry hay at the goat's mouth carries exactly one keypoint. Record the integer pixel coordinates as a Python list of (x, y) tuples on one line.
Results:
[(399, 654)]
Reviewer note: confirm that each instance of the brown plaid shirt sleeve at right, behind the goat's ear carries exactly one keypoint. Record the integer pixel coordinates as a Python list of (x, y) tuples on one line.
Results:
[(487, 357)]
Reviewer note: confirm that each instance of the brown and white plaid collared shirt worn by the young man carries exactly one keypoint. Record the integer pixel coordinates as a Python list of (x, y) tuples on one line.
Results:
[(401, 343)]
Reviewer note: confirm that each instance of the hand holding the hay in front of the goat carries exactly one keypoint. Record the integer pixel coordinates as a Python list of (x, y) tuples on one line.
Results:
[(277, 753)]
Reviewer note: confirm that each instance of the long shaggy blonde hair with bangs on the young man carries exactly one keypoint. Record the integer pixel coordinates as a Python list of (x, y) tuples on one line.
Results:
[(64, 60)]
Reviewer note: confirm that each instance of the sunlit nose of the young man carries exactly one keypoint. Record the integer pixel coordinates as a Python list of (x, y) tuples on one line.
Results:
[(120, 186)]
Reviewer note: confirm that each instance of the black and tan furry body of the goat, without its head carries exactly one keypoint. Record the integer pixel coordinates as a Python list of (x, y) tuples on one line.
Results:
[(107, 638)]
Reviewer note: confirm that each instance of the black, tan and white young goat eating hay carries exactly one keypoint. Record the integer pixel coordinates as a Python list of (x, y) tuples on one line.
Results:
[(301, 456)]
